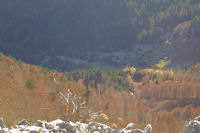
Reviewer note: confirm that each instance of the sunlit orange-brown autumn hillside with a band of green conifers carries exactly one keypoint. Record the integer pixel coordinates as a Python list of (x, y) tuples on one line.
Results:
[(166, 99)]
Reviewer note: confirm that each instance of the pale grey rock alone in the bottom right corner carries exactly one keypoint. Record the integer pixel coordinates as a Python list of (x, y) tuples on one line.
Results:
[(193, 126)]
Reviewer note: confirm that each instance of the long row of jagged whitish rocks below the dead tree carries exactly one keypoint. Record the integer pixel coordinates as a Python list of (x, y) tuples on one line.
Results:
[(59, 126)]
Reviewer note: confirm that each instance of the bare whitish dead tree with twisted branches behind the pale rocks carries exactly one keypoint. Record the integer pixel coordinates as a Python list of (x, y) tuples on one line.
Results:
[(76, 106)]
